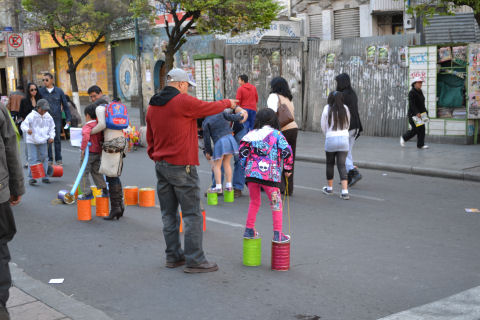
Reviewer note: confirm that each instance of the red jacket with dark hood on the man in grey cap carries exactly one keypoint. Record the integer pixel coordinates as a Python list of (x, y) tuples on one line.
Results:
[(172, 125)]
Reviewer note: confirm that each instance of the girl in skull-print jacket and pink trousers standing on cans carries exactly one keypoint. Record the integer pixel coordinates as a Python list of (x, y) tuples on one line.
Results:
[(264, 152)]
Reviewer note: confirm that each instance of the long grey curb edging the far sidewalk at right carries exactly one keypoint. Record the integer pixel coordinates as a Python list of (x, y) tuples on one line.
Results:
[(431, 172)]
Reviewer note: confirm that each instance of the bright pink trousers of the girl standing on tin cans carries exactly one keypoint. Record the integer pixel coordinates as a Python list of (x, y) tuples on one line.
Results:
[(275, 198)]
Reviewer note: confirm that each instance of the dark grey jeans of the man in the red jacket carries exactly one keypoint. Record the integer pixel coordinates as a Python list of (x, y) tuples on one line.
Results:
[(178, 185)]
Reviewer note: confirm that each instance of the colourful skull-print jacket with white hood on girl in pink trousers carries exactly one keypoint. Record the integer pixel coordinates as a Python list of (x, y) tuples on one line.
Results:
[(263, 153)]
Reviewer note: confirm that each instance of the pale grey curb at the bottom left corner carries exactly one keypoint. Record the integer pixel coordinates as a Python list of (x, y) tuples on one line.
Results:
[(54, 298)]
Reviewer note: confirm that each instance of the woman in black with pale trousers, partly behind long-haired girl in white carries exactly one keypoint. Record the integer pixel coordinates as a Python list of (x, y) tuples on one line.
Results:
[(351, 101)]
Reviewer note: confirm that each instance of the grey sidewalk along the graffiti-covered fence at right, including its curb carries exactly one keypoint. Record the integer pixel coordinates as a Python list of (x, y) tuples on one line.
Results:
[(441, 160)]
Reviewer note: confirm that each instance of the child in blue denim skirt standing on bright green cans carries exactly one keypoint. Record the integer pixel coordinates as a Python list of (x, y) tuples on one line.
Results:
[(219, 129)]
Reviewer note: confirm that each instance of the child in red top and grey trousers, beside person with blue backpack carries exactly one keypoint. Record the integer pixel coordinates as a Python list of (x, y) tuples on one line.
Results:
[(95, 151)]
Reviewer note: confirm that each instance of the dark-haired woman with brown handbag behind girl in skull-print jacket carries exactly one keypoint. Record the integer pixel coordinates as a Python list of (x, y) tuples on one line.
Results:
[(280, 101)]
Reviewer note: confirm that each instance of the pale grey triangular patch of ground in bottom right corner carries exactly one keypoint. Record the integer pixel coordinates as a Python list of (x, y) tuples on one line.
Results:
[(462, 306)]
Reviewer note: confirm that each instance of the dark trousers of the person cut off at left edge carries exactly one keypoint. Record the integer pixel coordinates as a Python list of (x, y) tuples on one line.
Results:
[(7, 231)]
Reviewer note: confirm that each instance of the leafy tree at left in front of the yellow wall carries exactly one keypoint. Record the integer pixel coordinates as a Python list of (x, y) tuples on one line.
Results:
[(79, 22)]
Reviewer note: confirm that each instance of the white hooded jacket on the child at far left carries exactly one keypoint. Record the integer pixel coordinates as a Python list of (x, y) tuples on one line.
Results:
[(43, 127)]
